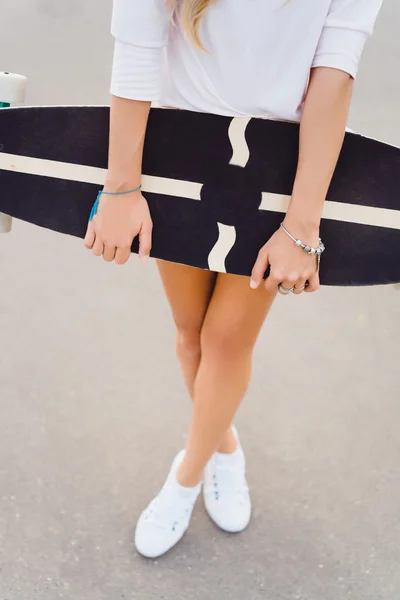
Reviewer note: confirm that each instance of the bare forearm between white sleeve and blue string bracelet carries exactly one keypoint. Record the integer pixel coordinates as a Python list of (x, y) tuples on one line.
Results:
[(128, 122)]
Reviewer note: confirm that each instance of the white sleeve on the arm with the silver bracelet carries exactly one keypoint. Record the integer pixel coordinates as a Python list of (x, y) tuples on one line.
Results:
[(348, 25)]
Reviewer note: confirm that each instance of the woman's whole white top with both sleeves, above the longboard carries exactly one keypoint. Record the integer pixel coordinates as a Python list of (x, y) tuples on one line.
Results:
[(260, 53)]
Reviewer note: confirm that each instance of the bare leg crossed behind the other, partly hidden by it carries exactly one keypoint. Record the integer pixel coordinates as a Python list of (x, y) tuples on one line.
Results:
[(189, 291)]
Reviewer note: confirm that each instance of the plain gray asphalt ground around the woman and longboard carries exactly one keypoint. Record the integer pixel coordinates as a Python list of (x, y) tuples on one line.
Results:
[(93, 407)]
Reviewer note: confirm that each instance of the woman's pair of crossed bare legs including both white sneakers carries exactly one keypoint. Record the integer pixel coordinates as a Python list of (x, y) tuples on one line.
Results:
[(228, 326)]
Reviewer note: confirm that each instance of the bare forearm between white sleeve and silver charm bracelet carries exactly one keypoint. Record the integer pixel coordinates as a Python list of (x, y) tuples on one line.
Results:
[(322, 130)]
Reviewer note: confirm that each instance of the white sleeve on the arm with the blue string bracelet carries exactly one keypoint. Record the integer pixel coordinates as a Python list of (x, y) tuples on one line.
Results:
[(140, 29)]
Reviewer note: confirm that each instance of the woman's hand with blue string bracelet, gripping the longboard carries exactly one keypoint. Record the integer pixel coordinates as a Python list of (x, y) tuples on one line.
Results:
[(119, 219)]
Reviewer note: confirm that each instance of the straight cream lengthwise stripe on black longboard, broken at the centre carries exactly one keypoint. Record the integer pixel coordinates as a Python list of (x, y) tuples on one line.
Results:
[(336, 211)]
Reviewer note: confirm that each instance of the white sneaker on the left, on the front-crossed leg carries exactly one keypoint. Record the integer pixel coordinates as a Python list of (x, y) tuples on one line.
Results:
[(164, 522)]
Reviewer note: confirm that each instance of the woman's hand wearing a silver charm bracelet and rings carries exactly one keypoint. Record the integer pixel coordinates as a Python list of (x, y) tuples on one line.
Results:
[(289, 264)]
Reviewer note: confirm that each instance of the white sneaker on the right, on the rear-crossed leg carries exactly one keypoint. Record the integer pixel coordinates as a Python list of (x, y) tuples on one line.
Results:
[(226, 495)]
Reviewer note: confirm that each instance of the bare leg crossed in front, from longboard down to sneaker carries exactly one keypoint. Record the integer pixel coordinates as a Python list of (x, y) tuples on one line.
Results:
[(230, 329)]
